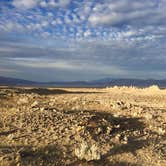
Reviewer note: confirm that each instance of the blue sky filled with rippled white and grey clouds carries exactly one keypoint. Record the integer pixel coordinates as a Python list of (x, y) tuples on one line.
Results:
[(69, 40)]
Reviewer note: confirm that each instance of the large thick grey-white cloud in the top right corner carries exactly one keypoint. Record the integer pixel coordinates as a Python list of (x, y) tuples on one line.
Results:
[(126, 12)]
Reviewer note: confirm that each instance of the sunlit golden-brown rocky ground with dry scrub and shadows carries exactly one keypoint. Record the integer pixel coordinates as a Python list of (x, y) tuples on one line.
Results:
[(83, 127)]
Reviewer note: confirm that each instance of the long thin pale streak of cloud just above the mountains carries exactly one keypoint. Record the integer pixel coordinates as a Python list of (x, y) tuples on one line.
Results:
[(69, 65)]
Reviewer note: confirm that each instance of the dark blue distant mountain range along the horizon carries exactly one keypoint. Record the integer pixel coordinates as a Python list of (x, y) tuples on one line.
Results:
[(6, 81)]
